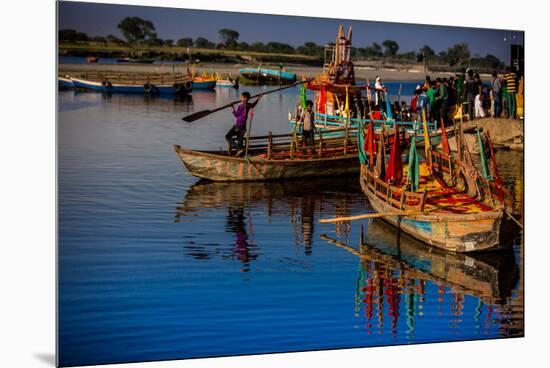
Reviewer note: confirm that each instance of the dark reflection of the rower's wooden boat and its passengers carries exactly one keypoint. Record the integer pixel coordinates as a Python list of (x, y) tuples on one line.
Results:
[(297, 199)]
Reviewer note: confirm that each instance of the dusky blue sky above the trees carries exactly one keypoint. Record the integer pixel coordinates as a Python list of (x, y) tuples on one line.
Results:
[(102, 19)]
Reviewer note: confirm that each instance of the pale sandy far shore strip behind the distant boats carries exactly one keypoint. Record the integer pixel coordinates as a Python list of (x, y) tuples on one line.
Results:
[(361, 72)]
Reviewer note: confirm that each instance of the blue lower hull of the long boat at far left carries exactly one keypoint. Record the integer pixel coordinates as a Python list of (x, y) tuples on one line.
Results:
[(163, 89)]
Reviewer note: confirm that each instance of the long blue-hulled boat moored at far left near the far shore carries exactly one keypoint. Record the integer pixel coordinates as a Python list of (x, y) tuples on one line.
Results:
[(175, 84)]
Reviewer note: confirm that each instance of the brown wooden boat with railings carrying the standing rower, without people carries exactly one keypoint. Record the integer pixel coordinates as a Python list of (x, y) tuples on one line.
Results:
[(275, 157)]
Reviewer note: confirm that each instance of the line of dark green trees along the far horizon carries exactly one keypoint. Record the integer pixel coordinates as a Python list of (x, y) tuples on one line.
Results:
[(140, 32)]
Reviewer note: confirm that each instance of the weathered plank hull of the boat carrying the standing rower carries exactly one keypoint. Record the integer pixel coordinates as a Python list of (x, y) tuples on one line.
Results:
[(219, 167)]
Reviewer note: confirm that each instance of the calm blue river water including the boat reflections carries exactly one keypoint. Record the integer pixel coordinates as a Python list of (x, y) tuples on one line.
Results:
[(156, 264)]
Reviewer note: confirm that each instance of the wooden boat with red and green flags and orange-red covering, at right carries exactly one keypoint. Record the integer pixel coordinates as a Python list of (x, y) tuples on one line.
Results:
[(456, 210)]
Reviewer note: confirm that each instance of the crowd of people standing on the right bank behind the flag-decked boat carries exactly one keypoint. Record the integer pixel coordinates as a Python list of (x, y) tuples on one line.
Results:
[(443, 98)]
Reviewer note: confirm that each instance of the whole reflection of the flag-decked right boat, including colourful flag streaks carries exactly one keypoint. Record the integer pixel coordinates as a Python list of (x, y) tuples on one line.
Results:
[(394, 265)]
